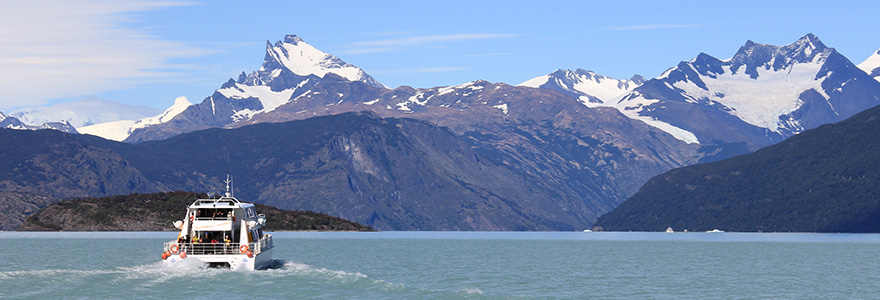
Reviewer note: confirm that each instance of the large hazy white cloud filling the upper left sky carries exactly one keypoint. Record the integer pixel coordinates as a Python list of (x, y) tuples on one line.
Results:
[(57, 48)]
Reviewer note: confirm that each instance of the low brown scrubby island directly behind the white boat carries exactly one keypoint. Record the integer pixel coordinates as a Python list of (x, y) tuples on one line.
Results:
[(158, 211)]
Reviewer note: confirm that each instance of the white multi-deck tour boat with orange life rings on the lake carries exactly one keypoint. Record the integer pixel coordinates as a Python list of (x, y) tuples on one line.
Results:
[(224, 233)]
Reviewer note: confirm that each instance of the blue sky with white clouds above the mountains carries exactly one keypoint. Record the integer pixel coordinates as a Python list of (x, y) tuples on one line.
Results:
[(148, 53)]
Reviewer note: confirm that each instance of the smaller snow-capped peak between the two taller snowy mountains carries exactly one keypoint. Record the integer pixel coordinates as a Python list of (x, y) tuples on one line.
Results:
[(590, 88)]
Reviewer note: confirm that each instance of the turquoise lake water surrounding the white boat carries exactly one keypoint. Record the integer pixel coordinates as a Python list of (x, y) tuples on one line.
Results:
[(454, 265)]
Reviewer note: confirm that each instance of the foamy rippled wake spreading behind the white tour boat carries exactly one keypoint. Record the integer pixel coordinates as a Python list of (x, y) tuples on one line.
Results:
[(194, 279)]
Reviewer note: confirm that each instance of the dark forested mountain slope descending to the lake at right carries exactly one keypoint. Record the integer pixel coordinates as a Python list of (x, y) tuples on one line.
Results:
[(823, 180)]
